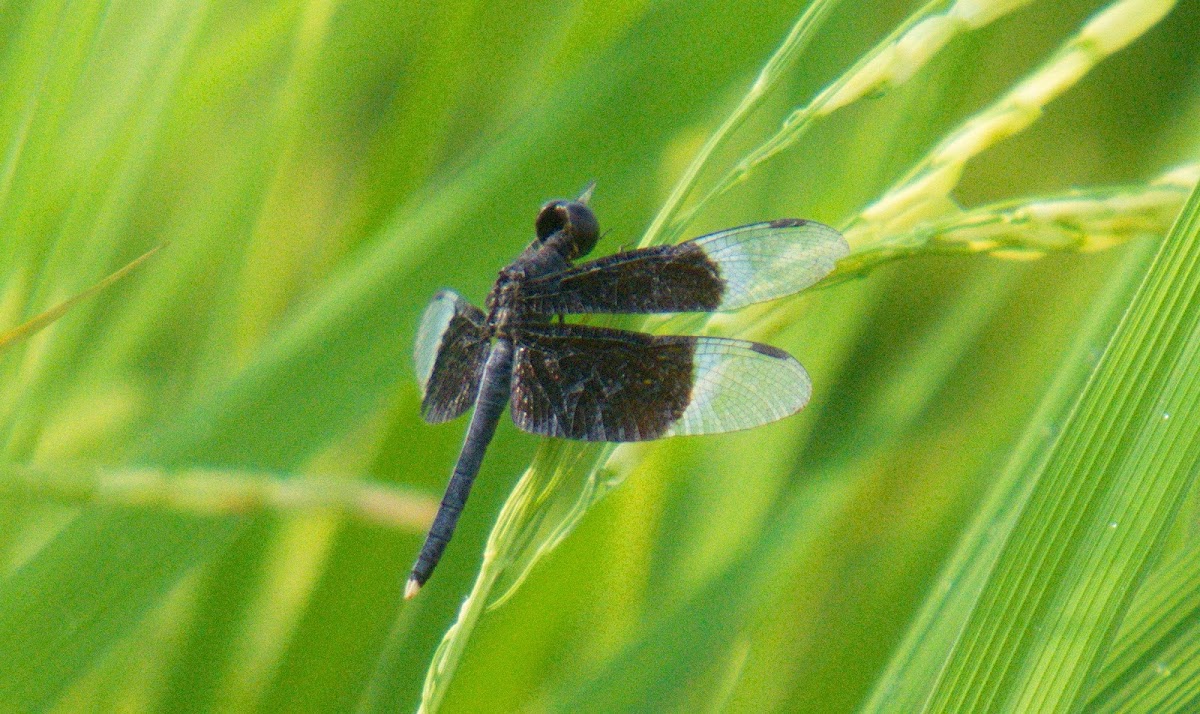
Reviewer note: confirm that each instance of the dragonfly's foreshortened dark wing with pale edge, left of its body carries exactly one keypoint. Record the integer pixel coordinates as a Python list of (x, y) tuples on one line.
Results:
[(449, 356)]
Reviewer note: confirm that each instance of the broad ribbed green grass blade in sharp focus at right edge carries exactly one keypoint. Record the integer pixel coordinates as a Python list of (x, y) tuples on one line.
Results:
[(1101, 508)]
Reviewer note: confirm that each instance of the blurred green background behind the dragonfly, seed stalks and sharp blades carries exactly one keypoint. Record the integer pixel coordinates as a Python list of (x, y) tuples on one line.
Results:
[(319, 171)]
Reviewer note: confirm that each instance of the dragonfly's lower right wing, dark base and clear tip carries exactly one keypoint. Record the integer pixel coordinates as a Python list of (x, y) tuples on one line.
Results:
[(611, 386)]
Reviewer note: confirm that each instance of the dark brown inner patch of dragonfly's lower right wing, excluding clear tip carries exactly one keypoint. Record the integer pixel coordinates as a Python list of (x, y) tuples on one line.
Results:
[(597, 385)]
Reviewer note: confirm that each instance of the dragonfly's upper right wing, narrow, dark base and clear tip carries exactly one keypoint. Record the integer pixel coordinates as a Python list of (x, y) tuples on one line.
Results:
[(724, 271)]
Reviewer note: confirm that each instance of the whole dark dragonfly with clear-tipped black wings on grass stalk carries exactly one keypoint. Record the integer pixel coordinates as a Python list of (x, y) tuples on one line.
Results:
[(601, 385)]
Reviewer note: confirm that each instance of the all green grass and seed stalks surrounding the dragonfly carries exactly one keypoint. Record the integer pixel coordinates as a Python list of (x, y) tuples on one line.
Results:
[(214, 477)]
